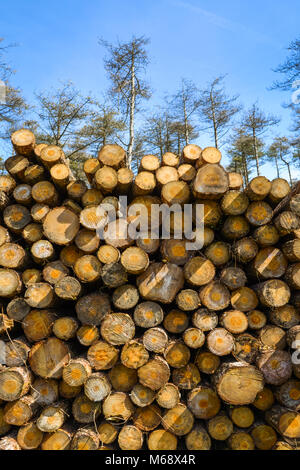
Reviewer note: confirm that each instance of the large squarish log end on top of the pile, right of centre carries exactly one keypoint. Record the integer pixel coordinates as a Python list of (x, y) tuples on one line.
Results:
[(211, 182)]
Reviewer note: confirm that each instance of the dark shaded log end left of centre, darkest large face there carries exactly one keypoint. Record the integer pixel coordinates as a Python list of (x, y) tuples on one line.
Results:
[(92, 308)]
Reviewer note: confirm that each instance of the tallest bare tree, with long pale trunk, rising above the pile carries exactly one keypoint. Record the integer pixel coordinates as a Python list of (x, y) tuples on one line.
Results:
[(126, 65)]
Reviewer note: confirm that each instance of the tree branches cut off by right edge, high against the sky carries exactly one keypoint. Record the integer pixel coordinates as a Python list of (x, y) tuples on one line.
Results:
[(290, 68)]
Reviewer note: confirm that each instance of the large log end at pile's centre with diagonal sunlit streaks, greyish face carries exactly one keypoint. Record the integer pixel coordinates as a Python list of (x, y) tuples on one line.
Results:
[(161, 282)]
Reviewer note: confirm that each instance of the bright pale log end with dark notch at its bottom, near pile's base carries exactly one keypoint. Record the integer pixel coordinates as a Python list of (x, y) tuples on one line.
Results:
[(118, 408)]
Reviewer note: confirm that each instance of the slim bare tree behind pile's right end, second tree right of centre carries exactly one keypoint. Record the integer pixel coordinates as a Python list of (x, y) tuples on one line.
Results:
[(256, 122)]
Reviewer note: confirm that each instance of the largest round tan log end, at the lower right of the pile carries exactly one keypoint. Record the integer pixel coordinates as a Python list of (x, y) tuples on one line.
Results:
[(238, 383)]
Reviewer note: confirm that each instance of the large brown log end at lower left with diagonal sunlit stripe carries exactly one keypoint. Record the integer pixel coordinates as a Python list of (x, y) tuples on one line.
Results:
[(48, 358)]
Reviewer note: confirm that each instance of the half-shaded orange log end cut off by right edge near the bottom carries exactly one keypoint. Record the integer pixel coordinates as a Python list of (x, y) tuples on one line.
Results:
[(286, 422)]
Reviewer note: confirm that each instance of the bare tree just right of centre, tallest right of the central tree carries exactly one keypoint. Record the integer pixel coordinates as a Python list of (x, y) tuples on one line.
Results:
[(217, 109)]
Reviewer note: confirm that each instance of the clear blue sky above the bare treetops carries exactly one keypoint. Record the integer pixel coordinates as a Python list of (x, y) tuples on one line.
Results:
[(196, 39)]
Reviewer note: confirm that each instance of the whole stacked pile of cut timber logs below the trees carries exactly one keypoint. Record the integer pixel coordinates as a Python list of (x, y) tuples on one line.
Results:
[(143, 344)]
